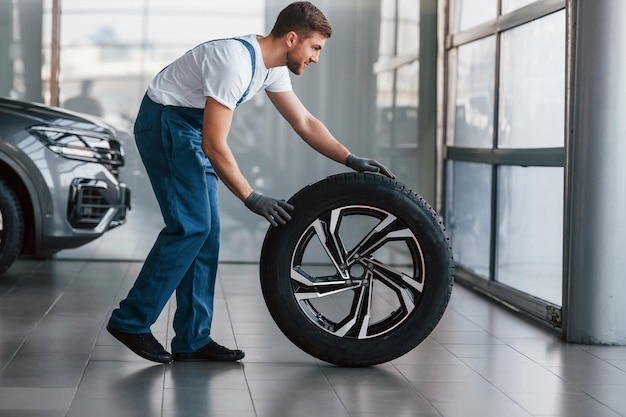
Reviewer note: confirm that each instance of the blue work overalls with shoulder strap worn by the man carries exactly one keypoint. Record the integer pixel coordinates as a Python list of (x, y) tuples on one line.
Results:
[(184, 257)]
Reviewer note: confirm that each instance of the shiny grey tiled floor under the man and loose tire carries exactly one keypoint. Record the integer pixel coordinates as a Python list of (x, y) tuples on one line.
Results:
[(482, 360)]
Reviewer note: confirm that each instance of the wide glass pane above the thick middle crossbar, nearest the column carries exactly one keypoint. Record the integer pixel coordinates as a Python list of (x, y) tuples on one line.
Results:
[(532, 84)]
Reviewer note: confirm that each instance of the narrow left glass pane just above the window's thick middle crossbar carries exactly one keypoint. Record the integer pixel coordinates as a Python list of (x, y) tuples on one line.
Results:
[(472, 95)]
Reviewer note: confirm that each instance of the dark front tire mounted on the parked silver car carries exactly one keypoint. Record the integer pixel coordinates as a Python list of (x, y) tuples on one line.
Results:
[(11, 227)]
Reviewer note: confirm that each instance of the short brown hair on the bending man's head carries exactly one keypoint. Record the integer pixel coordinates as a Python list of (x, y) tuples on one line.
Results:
[(303, 18)]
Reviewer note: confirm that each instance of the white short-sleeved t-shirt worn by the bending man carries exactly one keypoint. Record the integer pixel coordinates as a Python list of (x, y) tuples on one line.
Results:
[(220, 69)]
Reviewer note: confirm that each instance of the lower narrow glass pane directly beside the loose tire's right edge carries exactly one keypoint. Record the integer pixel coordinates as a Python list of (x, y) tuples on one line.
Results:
[(468, 214)]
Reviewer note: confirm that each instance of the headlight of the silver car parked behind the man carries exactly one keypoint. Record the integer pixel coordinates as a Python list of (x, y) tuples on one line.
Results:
[(83, 145)]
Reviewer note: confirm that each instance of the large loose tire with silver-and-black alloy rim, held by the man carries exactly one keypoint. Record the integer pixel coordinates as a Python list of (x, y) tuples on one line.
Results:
[(361, 274)]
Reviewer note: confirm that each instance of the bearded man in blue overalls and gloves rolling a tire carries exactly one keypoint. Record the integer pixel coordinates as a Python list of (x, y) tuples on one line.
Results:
[(181, 132)]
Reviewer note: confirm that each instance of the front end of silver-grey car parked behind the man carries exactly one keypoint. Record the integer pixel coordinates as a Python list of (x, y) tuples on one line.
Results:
[(59, 180)]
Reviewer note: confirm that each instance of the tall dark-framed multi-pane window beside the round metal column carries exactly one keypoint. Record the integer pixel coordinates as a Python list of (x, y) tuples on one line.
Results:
[(504, 147)]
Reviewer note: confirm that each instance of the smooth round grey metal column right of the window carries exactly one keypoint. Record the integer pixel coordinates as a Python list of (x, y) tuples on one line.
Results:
[(595, 294)]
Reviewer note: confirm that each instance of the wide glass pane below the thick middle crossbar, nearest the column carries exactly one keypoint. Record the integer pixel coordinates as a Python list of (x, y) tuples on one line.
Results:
[(530, 230)]
